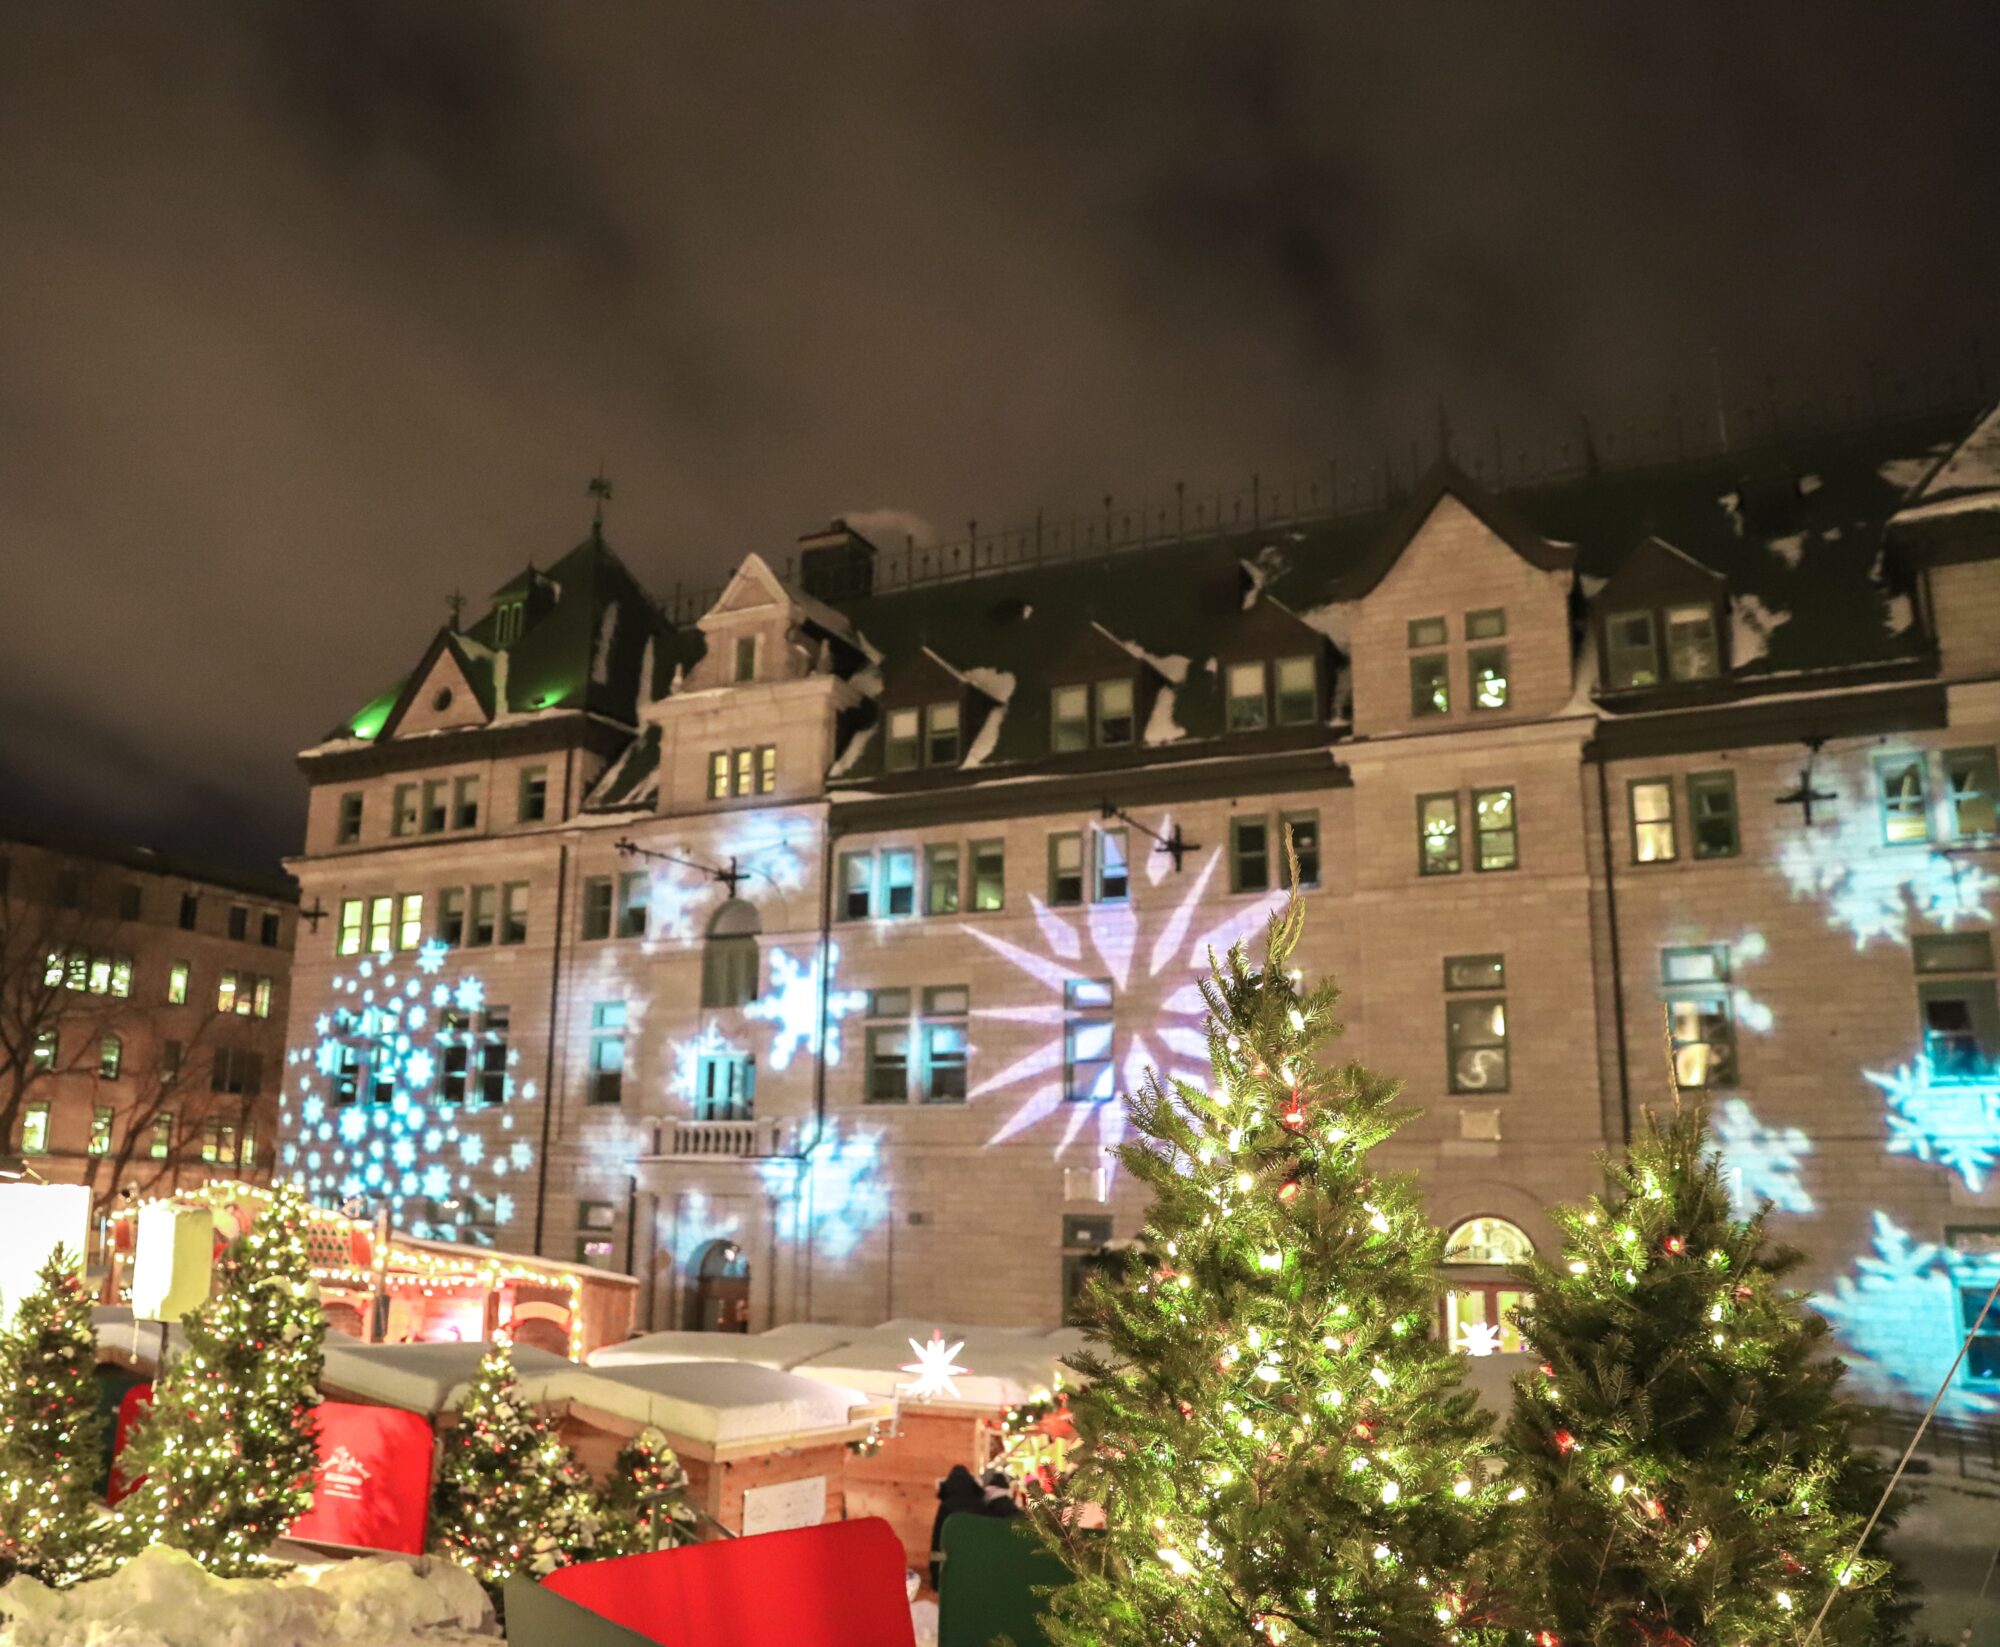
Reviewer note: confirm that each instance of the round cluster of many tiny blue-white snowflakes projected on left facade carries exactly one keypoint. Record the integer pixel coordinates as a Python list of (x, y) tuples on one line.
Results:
[(399, 1142)]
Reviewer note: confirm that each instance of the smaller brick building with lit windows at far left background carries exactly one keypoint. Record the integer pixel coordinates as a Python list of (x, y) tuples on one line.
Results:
[(143, 1010)]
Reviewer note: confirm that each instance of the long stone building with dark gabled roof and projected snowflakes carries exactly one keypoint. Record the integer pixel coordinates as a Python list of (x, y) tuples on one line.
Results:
[(795, 958)]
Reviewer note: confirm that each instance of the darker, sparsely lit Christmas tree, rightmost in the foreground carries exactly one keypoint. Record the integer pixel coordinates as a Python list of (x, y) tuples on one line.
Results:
[(1685, 1452)]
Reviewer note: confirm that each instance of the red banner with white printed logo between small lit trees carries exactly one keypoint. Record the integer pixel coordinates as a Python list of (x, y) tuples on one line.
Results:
[(373, 1486)]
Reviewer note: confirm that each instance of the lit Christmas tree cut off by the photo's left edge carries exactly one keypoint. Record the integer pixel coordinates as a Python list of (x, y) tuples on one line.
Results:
[(51, 1434)]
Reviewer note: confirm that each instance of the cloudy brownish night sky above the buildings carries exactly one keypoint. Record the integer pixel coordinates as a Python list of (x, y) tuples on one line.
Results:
[(311, 315)]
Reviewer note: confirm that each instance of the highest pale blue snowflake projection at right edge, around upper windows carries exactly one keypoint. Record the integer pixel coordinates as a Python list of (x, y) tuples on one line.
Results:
[(1873, 888)]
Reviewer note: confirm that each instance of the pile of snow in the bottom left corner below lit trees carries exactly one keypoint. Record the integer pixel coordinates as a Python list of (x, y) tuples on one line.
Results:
[(163, 1598)]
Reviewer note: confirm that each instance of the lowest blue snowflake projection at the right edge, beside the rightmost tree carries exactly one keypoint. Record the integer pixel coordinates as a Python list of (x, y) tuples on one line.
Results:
[(1901, 1316)]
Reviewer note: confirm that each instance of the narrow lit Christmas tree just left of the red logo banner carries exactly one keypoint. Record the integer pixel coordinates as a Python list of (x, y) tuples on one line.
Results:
[(231, 1444)]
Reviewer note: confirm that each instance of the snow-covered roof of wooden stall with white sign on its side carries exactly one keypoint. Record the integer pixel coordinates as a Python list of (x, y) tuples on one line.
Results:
[(715, 1402)]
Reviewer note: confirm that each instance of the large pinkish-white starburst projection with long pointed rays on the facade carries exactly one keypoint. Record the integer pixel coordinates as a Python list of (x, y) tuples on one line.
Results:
[(1155, 1008)]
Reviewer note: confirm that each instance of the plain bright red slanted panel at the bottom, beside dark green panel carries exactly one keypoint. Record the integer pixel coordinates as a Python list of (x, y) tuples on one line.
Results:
[(829, 1586)]
